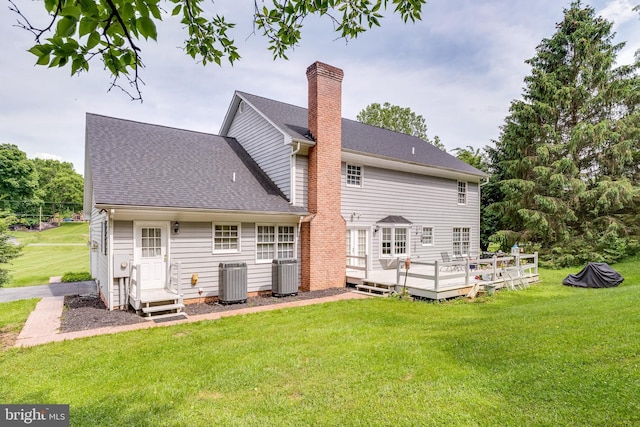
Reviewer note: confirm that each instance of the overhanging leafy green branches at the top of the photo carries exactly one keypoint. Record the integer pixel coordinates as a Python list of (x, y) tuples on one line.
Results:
[(79, 31)]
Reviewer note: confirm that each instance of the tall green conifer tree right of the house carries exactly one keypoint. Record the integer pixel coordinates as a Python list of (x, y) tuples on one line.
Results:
[(566, 162)]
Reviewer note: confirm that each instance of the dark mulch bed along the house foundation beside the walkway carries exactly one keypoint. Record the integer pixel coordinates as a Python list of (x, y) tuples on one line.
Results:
[(89, 312)]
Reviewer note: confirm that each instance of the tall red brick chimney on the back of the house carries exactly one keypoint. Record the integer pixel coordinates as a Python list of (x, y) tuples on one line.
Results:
[(324, 232)]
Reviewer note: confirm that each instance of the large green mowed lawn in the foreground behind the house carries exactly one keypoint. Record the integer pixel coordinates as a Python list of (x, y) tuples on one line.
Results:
[(549, 355)]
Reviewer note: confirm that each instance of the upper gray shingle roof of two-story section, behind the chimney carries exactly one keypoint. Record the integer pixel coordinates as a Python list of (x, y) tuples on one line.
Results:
[(362, 138)]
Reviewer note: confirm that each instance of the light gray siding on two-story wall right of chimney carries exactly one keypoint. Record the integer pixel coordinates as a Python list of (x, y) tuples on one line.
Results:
[(426, 201)]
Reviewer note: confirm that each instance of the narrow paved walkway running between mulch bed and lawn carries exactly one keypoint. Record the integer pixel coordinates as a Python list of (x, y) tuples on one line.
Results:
[(43, 325)]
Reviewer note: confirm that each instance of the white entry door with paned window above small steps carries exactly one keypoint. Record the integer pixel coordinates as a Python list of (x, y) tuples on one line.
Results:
[(151, 254)]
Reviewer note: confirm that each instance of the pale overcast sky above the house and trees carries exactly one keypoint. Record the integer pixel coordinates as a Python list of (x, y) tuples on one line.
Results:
[(460, 68)]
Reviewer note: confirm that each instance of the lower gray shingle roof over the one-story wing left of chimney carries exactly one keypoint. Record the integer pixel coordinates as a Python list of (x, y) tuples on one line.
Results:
[(145, 165)]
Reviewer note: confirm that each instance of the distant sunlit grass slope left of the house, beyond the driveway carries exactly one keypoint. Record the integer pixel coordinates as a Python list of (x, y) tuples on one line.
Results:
[(64, 249)]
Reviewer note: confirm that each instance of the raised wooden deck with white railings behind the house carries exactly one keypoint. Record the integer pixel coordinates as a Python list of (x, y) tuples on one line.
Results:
[(438, 280)]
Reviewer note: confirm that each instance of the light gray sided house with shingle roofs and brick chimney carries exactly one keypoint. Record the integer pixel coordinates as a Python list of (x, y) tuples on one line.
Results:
[(169, 206)]
